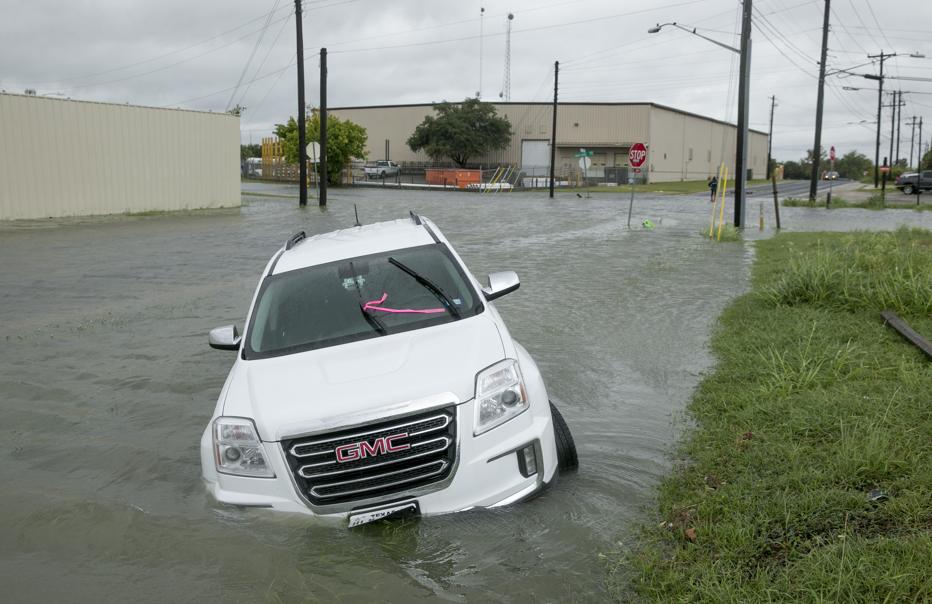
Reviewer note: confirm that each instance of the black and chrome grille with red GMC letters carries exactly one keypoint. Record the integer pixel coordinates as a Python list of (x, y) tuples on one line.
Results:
[(375, 460)]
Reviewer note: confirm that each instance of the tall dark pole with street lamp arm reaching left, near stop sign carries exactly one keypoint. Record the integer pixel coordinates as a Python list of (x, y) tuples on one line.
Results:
[(741, 148)]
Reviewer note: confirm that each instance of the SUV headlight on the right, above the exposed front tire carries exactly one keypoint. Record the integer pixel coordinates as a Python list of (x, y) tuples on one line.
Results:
[(500, 395)]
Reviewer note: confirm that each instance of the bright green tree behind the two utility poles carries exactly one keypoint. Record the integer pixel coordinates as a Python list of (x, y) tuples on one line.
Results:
[(345, 140)]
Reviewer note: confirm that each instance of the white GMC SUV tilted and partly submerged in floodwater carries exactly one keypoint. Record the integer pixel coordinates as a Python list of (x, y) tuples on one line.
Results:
[(374, 378)]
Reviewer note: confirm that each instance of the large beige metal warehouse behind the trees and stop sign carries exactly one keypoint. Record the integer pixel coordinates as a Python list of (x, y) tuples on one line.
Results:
[(681, 145)]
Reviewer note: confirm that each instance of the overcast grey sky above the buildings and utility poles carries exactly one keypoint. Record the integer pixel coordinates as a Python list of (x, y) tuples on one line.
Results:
[(192, 54)]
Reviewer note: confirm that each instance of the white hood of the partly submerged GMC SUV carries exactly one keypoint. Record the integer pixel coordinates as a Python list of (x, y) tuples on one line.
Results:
[(363, 381)]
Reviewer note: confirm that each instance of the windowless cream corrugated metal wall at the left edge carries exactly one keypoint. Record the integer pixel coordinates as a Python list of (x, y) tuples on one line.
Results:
[(76, 158)]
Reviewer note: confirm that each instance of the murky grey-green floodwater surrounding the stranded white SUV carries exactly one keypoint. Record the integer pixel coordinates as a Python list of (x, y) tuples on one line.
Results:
[(106, 383)]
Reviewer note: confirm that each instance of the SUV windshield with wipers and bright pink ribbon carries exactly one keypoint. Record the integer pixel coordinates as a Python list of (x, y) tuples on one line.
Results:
[(358, 298)]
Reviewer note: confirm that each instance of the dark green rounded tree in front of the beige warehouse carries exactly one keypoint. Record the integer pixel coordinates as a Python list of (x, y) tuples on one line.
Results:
[(461, 131)]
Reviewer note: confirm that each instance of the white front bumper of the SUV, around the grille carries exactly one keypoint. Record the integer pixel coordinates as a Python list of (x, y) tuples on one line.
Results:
[(487, 472)]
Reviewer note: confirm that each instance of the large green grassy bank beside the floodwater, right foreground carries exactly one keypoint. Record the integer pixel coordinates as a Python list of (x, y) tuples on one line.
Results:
[(807, 476)]
